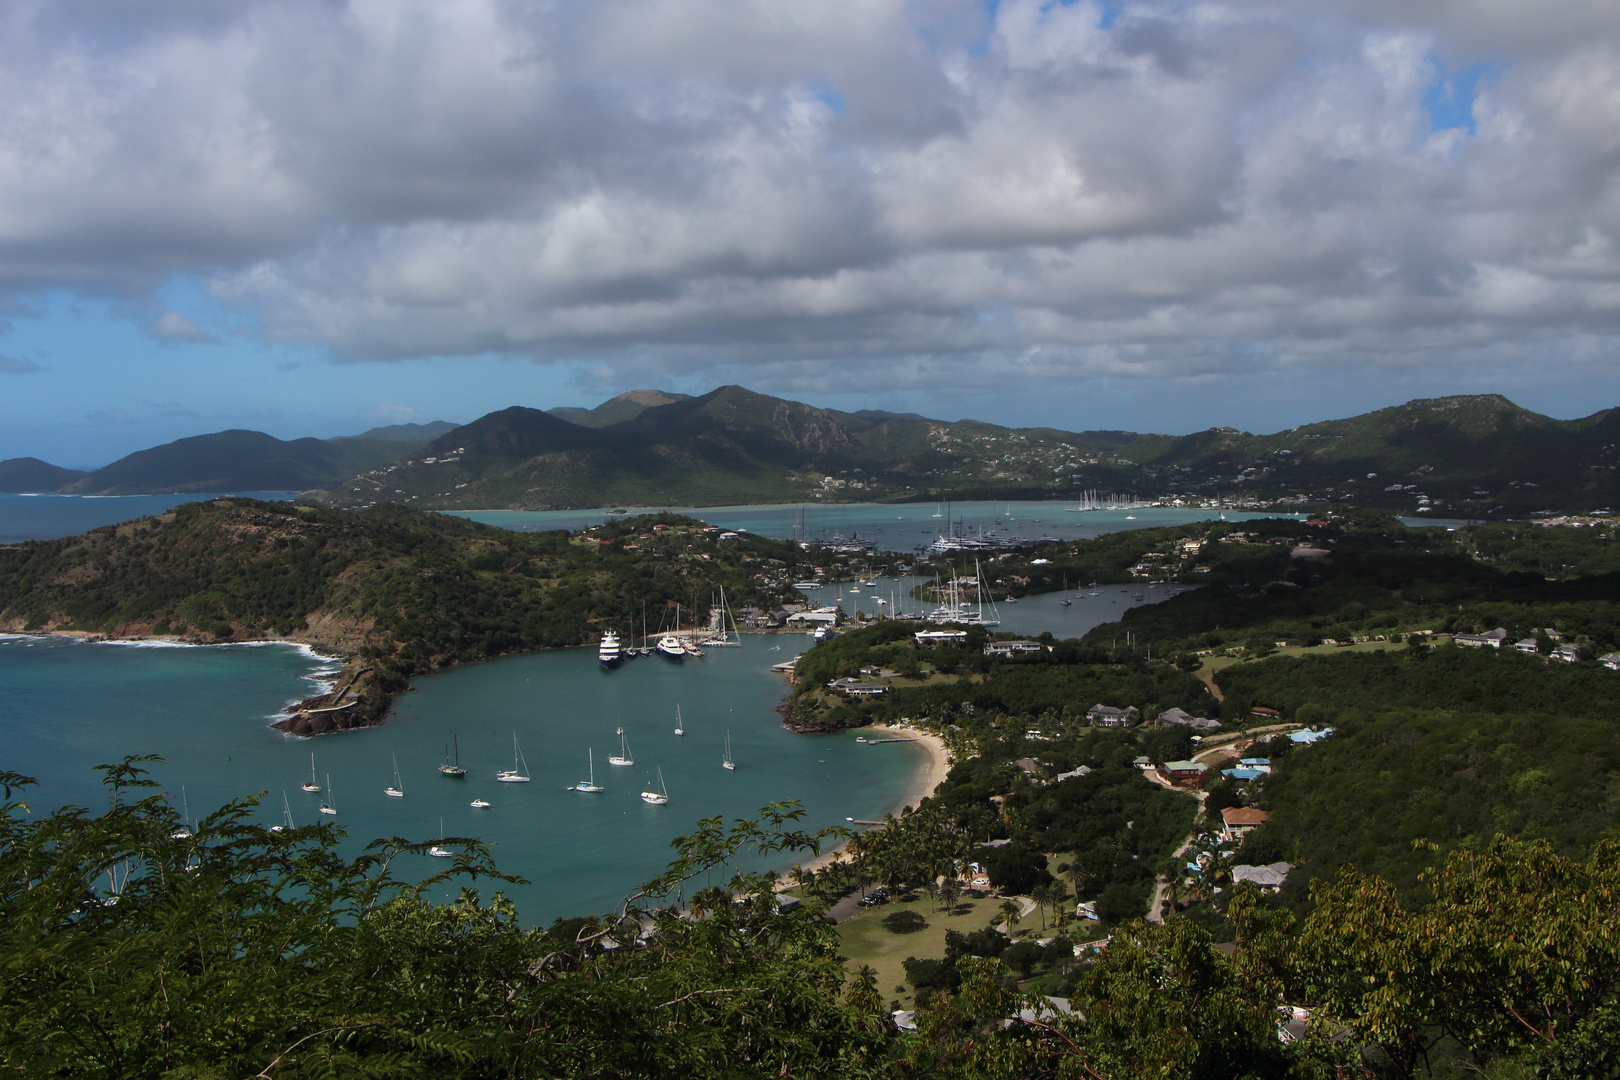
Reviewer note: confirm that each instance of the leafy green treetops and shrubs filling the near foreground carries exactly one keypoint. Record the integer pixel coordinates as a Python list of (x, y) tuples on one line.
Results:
[(132, 950)]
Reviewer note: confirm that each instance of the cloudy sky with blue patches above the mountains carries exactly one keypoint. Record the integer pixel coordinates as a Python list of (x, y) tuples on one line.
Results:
[(317, 216)]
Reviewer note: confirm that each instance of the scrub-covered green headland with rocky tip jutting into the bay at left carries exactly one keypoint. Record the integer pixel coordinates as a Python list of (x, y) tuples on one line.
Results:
[(398, 592)]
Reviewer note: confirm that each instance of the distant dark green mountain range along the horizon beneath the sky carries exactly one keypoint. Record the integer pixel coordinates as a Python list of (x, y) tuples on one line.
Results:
[(1456, 456)]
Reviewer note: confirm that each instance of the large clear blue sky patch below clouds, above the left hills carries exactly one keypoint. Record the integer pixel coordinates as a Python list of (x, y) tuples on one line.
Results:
[(98, 383)]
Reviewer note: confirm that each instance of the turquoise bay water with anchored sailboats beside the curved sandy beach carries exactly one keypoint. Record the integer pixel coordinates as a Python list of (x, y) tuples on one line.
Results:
[(67, 707)]
